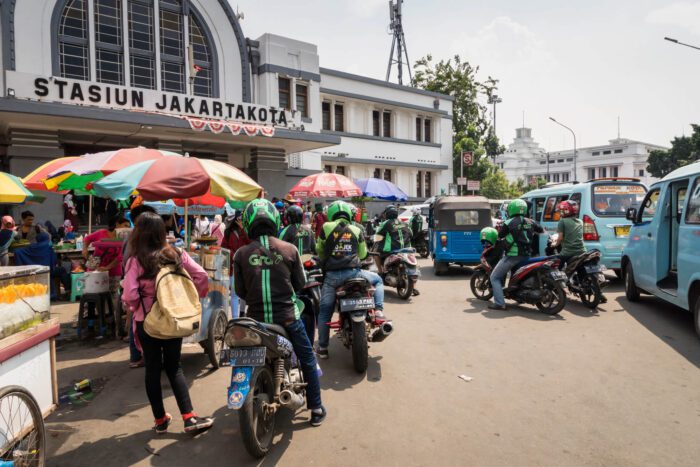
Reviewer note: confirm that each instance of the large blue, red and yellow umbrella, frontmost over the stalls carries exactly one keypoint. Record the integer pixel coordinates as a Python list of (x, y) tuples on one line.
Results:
[(182, 179)]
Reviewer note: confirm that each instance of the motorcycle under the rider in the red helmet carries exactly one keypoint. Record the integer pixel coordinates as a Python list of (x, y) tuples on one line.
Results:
[(585, 275)]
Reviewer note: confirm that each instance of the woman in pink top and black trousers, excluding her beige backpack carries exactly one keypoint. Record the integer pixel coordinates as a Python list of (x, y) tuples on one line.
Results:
[(149, 252)]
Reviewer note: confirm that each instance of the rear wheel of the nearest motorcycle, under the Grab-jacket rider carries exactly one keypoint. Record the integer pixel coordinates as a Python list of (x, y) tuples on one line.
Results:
[(257, 426)]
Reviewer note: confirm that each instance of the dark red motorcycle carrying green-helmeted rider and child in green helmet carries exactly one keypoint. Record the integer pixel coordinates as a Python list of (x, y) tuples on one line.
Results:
[(537, 281)]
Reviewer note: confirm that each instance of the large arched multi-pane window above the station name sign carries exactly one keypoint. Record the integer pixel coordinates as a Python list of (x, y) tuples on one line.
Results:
[(126, 48)]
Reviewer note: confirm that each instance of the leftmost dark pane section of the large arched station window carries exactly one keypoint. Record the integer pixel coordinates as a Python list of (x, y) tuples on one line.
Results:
[(73, 41)]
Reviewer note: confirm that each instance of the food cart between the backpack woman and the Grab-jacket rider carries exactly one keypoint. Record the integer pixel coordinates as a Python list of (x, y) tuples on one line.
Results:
[(215, 306)]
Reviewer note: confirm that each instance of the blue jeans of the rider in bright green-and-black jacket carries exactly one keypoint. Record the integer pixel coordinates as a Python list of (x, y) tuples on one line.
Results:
[(333, 280)]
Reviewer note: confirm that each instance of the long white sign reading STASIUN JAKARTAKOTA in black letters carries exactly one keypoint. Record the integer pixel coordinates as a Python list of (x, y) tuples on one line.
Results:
[(87, 93)]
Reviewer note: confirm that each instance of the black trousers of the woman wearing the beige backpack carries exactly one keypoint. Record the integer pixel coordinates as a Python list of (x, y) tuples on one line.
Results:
[(163, 354)]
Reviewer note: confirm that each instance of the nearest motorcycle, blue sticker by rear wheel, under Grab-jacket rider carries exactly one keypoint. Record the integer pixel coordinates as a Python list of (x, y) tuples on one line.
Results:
[(266, 376)]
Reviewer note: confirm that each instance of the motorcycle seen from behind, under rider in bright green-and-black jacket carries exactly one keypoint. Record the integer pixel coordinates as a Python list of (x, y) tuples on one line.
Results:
[(357, 324)]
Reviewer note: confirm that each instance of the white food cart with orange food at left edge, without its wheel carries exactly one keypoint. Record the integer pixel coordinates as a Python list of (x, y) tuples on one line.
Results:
[(27, 335)]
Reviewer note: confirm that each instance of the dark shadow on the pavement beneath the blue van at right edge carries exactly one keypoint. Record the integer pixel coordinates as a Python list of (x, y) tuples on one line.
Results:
[(669, 323)]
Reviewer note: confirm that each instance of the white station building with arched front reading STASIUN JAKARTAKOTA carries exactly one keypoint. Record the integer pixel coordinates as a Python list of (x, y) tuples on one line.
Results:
[(82, 76)]
